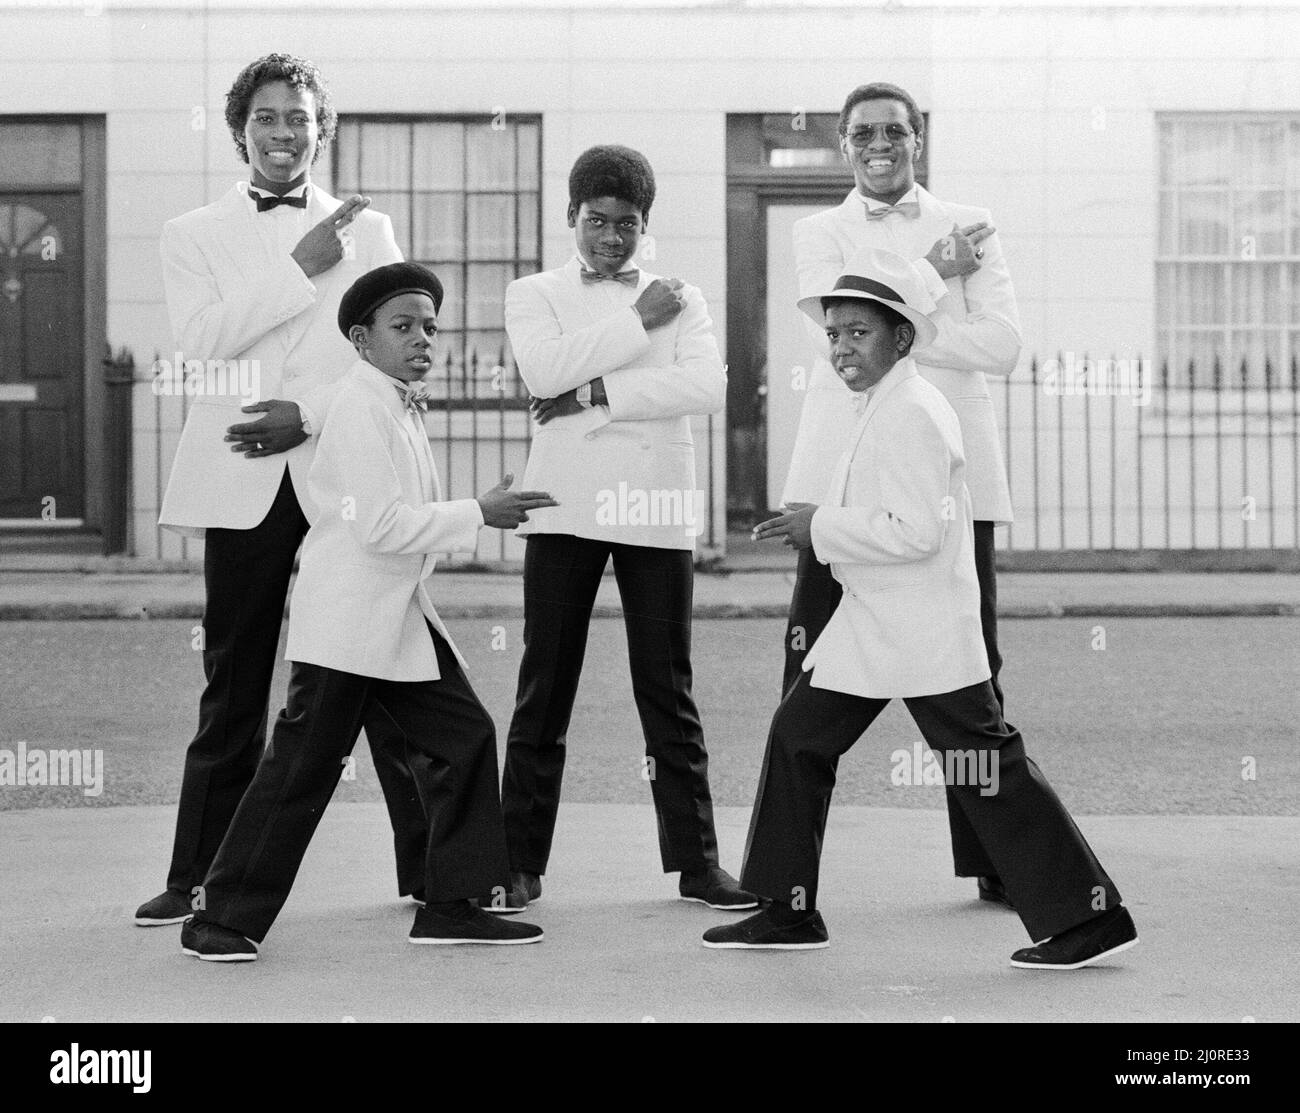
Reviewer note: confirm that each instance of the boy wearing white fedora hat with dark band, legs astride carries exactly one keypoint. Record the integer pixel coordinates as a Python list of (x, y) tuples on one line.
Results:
[(896, 532)]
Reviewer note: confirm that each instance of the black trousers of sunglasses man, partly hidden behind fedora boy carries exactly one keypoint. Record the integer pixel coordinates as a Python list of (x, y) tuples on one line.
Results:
[(817, 595)]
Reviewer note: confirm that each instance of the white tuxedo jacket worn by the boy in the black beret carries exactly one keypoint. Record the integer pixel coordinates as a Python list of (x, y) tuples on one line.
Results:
[(362, 596)]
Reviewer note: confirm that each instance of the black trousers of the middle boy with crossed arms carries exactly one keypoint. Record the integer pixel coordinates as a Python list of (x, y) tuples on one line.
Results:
[(562, 575)]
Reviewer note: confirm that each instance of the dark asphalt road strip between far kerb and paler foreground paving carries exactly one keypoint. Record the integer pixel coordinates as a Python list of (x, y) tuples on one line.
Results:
[(1159, 722)]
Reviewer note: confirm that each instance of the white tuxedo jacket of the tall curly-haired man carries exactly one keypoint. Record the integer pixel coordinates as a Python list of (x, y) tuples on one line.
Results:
[(233, 296)]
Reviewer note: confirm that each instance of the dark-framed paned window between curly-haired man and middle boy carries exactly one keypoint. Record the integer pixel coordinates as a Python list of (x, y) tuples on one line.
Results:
[(463, 194)]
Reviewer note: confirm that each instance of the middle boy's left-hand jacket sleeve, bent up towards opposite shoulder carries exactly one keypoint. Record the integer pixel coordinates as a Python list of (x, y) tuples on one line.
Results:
[(552, 361)]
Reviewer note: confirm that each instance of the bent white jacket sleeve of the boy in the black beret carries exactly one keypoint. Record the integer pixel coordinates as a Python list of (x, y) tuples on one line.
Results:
[(358, 451)]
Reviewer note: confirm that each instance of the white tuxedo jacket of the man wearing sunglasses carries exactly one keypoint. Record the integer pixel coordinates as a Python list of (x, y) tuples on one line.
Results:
[(980, 334)]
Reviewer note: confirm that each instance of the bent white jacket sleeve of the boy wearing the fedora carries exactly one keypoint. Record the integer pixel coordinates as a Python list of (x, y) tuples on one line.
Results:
[(916, 509)]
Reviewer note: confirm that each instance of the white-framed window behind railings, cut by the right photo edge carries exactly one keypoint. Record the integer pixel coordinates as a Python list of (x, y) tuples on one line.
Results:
[(1228, 271)]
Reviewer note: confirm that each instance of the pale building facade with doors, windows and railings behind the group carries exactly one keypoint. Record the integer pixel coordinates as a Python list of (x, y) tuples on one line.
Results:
[(1142, 164)]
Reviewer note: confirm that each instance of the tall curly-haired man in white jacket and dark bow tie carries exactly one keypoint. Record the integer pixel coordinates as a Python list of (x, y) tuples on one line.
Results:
[(254, 280)]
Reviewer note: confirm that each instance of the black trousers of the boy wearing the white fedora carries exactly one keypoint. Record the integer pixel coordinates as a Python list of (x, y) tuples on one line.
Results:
[(1047, 867)]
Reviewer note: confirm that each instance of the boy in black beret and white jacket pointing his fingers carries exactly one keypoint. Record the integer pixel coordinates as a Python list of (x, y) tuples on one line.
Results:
[(365, 636)]
